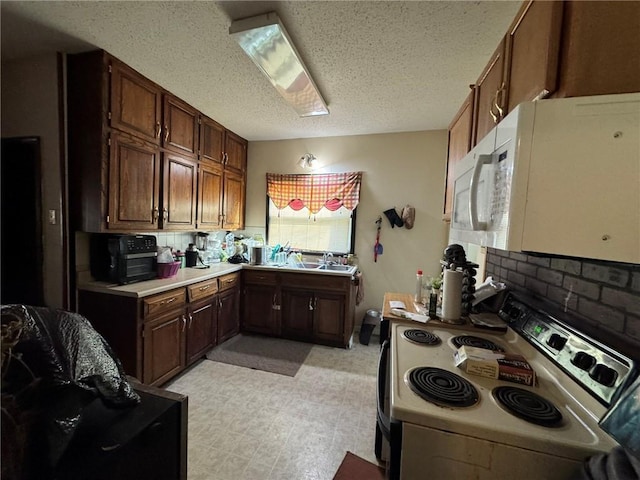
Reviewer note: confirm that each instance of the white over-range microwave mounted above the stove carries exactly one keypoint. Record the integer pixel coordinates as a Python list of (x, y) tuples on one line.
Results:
[(557, 176)]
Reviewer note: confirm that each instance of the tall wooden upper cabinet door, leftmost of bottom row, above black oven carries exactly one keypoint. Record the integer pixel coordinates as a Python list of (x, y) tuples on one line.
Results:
[(134, 180)]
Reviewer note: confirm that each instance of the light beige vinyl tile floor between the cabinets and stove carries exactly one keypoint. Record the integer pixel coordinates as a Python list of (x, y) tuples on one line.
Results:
[(255, 425)]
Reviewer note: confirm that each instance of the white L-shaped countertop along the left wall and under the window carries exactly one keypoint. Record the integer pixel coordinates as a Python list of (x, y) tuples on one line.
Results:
[(187, 276)]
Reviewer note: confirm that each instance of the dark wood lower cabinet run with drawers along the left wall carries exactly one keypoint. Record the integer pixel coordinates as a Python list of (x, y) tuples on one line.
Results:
[(158, 336)]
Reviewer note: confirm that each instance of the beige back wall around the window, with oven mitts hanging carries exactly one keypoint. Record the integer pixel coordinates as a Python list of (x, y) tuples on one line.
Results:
[(398, 169)]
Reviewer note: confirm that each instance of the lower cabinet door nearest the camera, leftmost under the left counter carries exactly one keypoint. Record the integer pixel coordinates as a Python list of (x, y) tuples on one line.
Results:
[(163, 348)]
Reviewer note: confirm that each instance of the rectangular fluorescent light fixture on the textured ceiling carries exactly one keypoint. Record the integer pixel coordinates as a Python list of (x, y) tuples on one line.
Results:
[(268, 44)]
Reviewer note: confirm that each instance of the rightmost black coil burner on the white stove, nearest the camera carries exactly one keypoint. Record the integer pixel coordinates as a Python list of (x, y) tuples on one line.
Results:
[(528, 406)]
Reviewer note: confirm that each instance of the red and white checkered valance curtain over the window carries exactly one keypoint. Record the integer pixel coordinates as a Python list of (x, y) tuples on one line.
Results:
[(328, 190)]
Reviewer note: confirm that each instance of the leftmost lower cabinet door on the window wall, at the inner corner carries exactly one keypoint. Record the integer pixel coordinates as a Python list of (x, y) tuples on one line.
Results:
[(260, 312)]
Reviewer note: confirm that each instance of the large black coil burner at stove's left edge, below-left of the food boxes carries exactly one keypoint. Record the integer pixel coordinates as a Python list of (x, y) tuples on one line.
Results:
[(442, 387)]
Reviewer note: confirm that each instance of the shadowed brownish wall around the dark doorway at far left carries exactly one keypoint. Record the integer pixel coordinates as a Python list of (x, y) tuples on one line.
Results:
[(30, 108)]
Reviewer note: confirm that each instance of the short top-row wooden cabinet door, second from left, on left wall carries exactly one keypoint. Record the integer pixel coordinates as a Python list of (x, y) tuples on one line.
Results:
[(180, 126)]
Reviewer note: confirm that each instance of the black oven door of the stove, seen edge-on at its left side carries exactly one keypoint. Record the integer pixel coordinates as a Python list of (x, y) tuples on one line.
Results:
[(388, 432)]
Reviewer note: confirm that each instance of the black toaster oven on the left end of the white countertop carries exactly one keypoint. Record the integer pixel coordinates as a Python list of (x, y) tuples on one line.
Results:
[(123, 259)]
